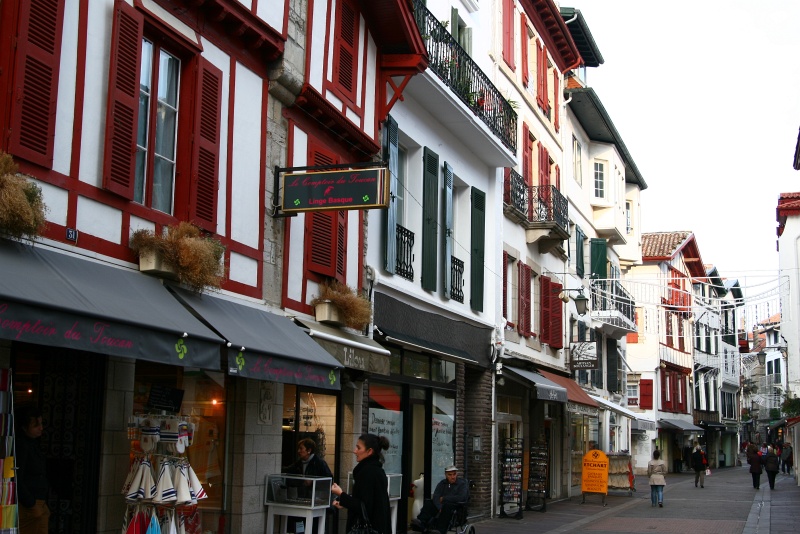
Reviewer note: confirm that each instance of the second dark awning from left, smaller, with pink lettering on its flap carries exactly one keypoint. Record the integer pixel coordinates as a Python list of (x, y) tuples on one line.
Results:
[(264, 345)]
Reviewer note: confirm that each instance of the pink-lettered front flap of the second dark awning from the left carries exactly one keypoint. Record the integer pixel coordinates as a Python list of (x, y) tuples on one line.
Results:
[(284, 370)]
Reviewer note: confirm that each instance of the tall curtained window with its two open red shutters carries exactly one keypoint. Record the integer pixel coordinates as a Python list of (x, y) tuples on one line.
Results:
[(163, 121)]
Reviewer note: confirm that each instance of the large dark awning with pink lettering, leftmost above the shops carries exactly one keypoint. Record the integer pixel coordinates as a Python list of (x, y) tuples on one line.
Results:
[(53, 298)]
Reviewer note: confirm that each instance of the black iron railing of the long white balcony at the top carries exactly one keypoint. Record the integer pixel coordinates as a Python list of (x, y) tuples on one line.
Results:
[(455, 67)]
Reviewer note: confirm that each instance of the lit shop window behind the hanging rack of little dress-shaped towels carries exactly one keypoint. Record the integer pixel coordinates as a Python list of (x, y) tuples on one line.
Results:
[(202, 398)]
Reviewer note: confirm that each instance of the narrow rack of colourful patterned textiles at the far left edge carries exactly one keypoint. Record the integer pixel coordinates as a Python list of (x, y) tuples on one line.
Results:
[(8, 489)]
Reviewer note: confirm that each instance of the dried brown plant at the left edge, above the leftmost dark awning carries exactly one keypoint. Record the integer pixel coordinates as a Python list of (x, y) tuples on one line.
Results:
[(22, 209)]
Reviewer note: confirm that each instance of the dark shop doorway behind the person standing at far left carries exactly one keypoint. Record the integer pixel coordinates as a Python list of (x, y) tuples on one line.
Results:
[(68, 387)]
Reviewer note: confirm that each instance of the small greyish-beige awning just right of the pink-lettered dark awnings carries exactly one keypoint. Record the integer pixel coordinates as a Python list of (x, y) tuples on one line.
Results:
[(351, 350)]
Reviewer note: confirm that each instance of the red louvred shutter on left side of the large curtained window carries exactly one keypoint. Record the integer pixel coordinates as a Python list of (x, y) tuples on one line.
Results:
[(119, 156)]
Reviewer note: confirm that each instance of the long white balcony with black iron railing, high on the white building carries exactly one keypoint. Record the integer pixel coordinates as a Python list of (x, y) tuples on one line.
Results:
[(474, 93)]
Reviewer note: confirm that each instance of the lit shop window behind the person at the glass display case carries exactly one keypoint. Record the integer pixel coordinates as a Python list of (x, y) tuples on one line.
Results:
[(308, 414)]
